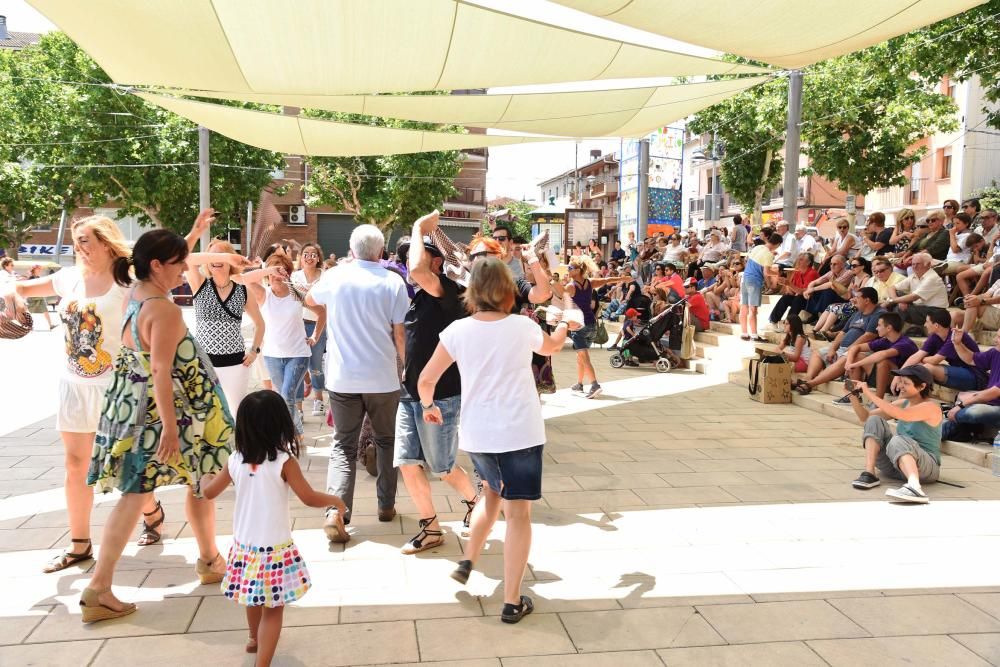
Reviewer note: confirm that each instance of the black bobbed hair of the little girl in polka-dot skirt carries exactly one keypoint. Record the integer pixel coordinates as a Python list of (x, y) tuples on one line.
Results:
[(264, 428)]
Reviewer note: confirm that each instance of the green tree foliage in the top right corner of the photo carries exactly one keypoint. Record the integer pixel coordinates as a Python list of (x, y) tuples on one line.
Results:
[(960, 47)]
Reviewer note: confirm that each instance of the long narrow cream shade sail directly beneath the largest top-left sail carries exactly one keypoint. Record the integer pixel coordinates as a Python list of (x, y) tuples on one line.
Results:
[(598, 113)]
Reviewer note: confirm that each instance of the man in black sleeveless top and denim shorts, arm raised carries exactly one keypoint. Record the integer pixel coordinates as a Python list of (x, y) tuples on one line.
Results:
[(421, 446)]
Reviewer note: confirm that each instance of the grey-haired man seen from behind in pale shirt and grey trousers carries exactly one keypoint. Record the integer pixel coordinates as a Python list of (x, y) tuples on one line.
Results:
[(366, 305)]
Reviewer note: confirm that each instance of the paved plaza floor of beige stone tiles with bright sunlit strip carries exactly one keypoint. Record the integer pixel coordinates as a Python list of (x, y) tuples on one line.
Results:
[(681, 524)]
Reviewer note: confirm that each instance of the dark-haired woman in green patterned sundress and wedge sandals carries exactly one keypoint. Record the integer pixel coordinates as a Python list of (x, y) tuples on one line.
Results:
[(164, 419)]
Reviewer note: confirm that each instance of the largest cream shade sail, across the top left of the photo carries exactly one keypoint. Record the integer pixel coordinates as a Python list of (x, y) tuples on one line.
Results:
[(336, 47)]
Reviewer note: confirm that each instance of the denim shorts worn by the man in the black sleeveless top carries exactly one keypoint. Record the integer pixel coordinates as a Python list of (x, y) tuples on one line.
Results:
[(433, 446)]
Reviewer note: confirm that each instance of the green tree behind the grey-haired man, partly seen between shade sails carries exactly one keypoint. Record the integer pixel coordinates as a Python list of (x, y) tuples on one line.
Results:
[(387, 191)]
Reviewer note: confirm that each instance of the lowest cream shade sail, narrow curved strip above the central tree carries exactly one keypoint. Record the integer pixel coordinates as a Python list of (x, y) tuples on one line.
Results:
[(295, 135)]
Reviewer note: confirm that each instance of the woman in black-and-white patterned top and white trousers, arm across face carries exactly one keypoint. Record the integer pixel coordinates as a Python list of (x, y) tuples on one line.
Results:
[(220, 301)]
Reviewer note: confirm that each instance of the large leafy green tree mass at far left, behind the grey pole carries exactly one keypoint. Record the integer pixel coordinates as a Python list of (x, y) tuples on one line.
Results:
[(56, 125)]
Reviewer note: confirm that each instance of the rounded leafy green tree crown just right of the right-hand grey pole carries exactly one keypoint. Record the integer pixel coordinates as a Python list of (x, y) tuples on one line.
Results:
[(861, 119)]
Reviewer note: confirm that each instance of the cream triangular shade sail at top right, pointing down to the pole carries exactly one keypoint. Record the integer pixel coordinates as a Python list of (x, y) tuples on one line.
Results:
[(786, 33)]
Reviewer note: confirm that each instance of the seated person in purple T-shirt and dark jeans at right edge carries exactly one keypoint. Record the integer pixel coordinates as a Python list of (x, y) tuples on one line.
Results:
[(976, 413)]
